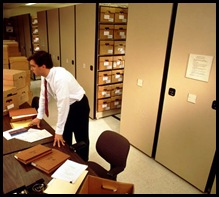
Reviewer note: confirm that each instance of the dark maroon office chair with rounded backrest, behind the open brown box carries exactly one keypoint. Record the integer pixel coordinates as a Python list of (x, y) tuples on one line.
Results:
[(114, 149)]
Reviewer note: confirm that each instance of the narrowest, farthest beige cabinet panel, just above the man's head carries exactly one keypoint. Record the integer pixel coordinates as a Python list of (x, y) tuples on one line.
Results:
[(42, 30)]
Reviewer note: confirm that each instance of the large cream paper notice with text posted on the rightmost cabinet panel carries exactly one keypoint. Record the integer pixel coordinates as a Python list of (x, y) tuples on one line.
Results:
[(199, 67)]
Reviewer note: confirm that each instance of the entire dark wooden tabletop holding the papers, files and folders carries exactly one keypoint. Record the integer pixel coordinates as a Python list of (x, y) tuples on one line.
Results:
[(16, 174)]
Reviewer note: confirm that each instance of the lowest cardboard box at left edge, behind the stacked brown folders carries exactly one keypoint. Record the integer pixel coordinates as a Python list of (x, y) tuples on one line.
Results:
[(10, 99)]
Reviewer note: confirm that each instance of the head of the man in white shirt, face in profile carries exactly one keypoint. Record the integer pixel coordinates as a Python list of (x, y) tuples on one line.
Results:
[(40, 63)]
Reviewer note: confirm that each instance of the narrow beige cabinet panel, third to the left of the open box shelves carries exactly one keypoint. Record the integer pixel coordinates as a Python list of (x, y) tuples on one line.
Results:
[(53, 35)]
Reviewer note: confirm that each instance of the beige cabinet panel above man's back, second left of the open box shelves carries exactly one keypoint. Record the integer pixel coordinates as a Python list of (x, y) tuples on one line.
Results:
[(67, 38)]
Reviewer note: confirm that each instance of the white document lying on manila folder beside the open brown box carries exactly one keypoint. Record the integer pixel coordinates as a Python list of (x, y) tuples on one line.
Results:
[(69, 171)]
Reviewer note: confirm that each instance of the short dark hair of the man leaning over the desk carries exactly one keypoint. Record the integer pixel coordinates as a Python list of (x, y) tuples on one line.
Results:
[(42, 57)]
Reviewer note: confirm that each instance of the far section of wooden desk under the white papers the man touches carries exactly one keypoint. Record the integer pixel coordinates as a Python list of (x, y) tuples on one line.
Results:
[(14, 145)]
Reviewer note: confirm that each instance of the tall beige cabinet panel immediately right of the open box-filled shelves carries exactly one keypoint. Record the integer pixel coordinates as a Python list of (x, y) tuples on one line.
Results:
[(146, 43)]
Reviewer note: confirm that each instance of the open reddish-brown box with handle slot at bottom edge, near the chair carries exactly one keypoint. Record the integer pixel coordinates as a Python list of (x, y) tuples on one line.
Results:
[(97, 185)]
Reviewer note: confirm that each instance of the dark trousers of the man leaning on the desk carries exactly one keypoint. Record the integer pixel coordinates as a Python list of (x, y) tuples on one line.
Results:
[(78, 123)]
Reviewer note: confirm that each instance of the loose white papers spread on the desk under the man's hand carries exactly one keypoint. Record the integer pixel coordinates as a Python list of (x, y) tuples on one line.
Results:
[(31, 135)]
